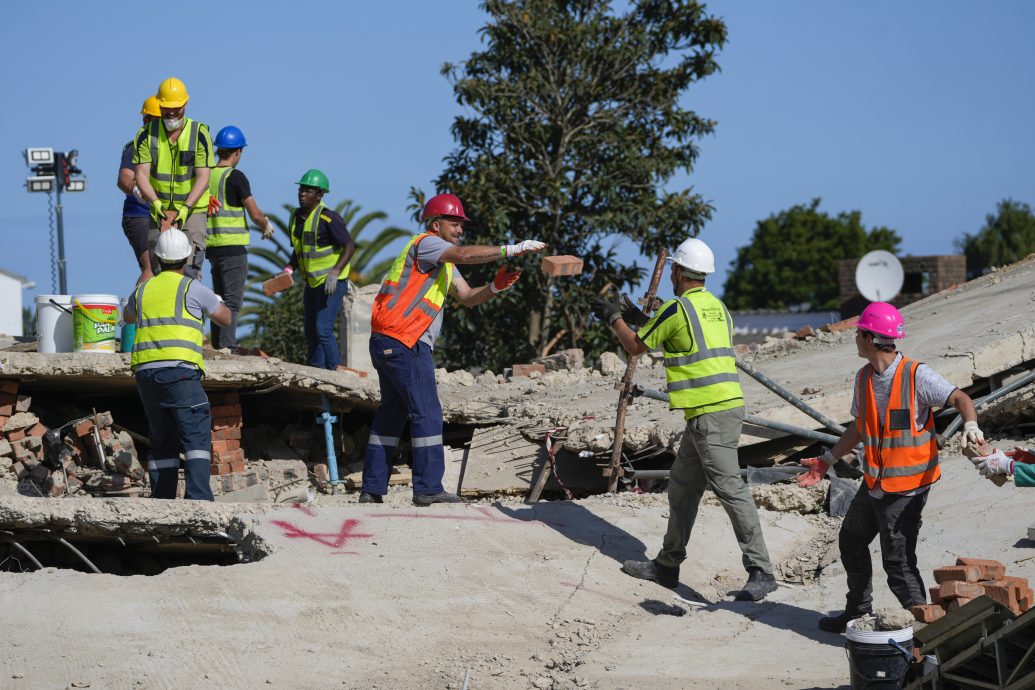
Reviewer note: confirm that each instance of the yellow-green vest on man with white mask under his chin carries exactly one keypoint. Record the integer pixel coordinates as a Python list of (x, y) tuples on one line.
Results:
[(173, 166)]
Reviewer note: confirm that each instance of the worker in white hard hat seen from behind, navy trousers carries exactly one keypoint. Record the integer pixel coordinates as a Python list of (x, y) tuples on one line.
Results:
[(167, 362)]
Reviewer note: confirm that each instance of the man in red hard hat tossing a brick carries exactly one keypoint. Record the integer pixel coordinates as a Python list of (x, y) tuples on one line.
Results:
[(407, 318)]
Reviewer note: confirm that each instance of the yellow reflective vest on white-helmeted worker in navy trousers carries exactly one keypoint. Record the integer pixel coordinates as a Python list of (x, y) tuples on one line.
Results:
[(166, 331)]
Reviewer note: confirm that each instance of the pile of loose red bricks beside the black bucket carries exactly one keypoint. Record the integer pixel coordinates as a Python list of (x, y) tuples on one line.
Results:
[(970, 579)]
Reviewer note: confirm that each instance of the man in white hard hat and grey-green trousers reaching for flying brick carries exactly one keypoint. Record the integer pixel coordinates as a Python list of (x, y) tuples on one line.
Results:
[(695, 332)]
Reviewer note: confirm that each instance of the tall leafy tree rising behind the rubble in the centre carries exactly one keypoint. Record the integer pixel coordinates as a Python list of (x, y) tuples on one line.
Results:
[(573, 130)]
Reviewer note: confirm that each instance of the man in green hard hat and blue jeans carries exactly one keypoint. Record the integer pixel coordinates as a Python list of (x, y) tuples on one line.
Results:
[(322, 250)]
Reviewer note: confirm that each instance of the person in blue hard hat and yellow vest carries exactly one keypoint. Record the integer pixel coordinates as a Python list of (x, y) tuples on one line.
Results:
[(228, 239)]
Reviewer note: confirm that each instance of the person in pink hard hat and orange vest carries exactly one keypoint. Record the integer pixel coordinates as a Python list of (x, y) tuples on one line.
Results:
[(894, 419)]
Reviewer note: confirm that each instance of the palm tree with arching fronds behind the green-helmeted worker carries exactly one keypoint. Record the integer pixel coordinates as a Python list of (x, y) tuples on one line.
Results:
[(277, 322)]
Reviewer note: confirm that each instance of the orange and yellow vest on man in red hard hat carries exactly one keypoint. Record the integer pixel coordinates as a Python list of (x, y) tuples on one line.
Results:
[(409, 299)]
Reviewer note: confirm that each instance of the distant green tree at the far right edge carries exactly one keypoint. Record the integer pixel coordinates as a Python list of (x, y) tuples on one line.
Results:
[(1008, 236)]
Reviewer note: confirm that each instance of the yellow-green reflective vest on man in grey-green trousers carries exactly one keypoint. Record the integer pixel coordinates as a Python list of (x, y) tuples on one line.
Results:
[(706, 375)]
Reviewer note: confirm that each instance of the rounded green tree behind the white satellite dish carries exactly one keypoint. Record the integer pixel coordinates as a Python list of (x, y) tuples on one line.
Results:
[(793, 256)]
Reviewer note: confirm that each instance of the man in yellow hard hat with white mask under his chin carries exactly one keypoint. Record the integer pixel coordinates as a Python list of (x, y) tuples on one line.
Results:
[(174, 155)]
